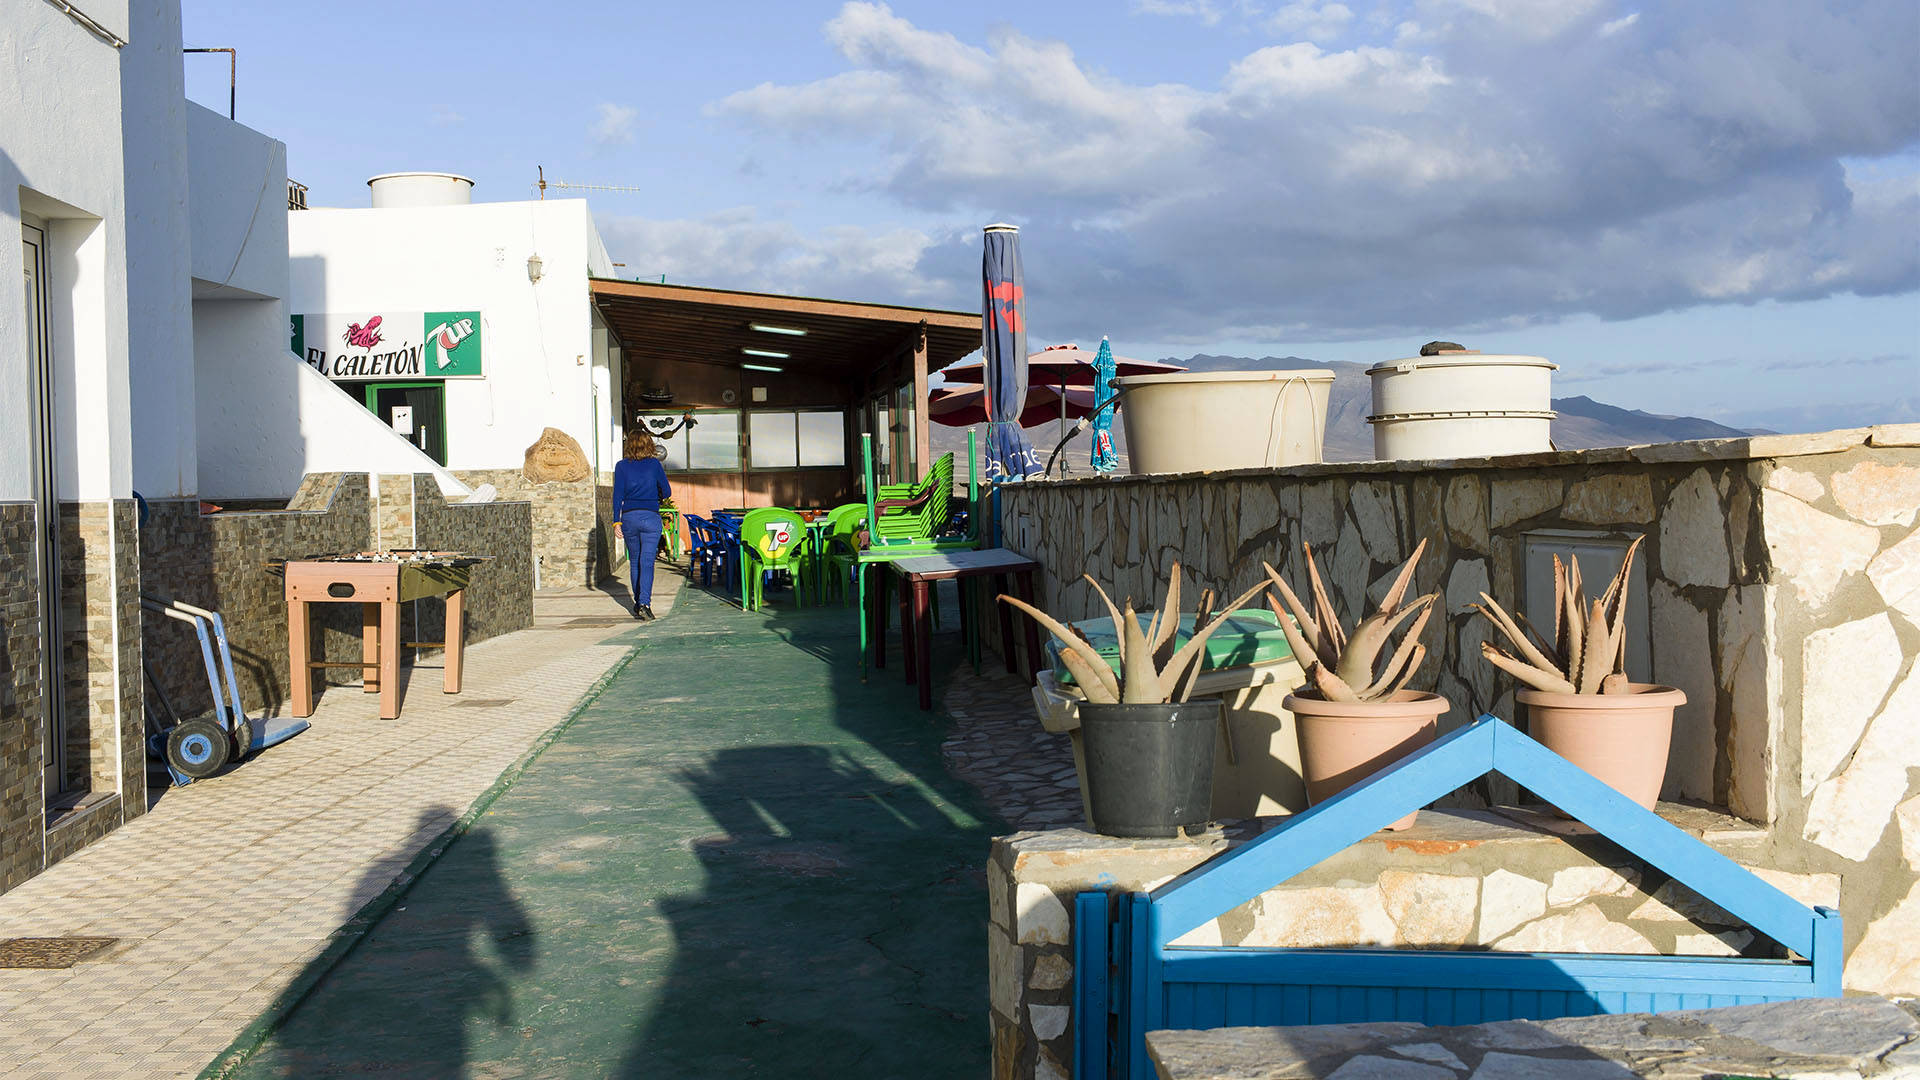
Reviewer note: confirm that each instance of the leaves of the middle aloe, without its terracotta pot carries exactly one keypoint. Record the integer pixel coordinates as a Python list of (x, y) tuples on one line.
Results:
[(1347, 668)]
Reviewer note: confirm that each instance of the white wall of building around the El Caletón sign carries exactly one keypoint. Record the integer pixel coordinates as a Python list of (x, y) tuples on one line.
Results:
[(539, 337)]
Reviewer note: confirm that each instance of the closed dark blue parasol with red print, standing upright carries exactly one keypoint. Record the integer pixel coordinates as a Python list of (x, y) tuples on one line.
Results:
[(1005, 351)]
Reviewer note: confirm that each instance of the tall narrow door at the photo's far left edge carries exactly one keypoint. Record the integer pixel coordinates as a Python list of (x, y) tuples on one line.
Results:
[(43, 422)]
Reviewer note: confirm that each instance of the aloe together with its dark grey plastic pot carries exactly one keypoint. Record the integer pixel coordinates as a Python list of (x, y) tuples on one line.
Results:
[(1149, 743)]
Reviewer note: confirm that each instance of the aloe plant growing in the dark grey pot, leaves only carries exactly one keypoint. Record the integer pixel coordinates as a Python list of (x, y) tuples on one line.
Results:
[(1151, 670)]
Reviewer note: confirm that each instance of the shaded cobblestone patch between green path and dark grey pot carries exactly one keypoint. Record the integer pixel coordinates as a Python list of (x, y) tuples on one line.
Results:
[(999, 747)]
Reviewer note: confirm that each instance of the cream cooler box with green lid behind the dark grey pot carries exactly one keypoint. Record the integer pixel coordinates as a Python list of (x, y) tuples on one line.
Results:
[(1251, 670)]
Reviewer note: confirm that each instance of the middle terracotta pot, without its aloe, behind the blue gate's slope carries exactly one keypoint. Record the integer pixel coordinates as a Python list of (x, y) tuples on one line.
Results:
[(1345, 743)]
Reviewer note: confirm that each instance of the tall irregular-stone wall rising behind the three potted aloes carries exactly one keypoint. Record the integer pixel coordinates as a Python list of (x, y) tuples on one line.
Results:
[(1783, 591)]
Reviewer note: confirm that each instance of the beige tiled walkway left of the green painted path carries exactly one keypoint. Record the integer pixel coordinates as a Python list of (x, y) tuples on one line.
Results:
[(229, 887)]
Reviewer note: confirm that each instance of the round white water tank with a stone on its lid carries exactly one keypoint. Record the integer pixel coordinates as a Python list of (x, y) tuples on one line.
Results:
[(1462, 405)]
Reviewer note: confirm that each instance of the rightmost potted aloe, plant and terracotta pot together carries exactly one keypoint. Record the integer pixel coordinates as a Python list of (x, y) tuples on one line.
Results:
[(1579, 700)]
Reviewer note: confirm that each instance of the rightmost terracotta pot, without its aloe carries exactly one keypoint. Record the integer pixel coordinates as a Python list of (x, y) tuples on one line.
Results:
[(1621, 739)]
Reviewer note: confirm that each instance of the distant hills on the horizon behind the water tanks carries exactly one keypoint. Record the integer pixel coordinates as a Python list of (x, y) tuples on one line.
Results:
[(1583, 424)]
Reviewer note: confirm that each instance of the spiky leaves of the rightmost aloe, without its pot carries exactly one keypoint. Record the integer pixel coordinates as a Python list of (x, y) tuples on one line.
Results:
[(1589, 650)]
